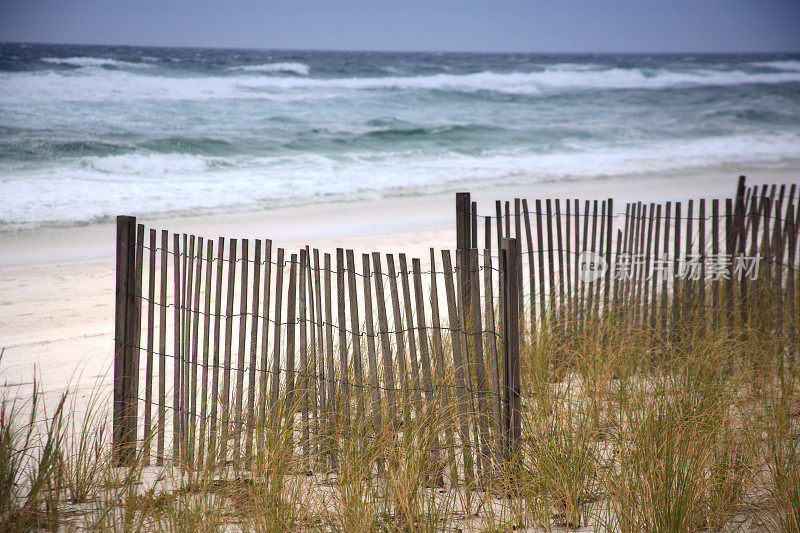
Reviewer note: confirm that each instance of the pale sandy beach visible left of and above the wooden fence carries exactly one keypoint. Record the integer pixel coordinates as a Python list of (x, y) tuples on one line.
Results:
[(57, 284)]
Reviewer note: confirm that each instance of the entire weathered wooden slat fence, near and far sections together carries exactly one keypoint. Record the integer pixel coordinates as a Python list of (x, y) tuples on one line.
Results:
[(235, 341)]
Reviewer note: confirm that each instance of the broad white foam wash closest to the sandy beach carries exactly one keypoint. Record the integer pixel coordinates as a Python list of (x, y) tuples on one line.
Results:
[(160, 184)]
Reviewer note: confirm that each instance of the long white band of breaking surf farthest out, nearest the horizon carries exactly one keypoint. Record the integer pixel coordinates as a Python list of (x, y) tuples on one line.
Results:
[(124, 85)]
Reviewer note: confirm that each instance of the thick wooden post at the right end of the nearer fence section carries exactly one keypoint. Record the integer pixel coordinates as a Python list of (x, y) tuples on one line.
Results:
[(512, 425)]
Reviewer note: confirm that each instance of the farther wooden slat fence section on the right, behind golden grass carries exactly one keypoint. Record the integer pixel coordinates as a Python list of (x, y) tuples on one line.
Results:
[(723, 262)]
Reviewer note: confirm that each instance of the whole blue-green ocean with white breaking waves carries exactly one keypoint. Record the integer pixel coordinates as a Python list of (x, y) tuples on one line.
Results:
[(89, 132)]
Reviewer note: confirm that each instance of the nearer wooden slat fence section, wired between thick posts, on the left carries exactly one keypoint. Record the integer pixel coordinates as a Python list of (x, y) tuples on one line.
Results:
[(239, 340)]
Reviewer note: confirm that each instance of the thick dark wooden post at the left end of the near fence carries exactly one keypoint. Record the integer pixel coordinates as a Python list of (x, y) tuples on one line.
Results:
[(124, 409)]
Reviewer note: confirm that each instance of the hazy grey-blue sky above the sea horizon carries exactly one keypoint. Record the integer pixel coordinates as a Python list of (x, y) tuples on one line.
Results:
[(447, 25)]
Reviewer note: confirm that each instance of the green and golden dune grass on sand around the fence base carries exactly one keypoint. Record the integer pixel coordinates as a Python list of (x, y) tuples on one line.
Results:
[(624, 429)]
